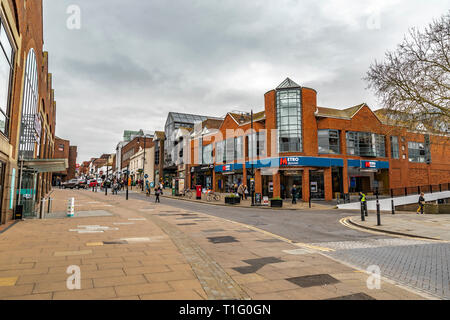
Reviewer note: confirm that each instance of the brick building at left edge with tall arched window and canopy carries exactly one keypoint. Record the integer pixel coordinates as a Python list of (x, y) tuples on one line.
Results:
[(27, 109)]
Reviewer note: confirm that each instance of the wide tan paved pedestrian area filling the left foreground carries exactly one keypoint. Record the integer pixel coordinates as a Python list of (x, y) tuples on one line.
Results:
[(139, 250)]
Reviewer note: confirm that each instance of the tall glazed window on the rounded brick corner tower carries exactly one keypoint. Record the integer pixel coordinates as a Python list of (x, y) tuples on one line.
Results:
[(289, 120)]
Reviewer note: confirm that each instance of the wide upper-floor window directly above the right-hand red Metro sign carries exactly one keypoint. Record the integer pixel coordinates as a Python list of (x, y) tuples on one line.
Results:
[(366, 144)]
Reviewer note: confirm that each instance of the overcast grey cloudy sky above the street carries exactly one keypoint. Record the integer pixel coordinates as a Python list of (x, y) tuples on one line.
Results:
[(124, 65)]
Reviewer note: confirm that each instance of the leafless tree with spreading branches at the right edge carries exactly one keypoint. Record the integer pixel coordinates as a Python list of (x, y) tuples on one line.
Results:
[(413, 83)]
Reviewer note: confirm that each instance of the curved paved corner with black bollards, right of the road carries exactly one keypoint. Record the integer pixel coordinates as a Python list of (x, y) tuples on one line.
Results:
[(430, 226)]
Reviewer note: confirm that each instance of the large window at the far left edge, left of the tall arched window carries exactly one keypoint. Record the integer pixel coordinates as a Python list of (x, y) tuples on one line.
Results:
[(6, 72)]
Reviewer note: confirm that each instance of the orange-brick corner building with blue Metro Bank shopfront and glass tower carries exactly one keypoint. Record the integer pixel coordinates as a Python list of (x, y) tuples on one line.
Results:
[(323, 151)]
